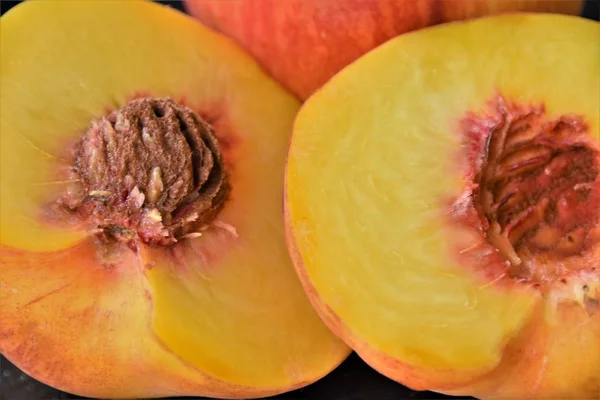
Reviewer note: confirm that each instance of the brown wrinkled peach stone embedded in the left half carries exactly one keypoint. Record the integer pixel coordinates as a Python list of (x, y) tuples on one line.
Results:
[(150, 171)]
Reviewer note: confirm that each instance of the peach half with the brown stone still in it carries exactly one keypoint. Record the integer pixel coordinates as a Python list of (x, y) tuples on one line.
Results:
[(142, 242)]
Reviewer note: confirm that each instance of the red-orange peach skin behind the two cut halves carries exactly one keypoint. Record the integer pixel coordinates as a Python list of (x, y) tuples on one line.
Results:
[(303, 43)]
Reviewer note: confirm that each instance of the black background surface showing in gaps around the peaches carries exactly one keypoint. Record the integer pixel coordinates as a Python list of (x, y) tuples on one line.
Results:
[(353, 380)]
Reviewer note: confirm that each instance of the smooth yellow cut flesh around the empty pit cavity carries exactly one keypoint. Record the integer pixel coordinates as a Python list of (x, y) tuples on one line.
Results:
[(373, 153)]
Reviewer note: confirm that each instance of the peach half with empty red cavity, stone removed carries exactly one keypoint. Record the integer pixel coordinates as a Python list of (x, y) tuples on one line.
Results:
[(442, 207)]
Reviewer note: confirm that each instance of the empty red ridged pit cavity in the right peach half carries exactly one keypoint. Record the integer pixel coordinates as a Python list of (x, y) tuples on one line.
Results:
[(536, 189)]
